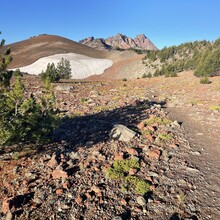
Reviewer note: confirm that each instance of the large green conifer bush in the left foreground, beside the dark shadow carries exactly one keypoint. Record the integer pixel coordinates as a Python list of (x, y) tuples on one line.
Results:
[(25, 120)]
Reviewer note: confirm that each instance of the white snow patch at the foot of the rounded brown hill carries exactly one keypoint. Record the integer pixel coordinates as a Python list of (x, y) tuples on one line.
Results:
[(81, 66)]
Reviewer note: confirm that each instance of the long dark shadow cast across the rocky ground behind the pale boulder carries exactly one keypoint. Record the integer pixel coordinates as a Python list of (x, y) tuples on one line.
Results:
[(92, 129)]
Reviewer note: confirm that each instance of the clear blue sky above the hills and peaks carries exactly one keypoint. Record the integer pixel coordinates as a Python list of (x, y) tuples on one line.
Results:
[(165, 22)]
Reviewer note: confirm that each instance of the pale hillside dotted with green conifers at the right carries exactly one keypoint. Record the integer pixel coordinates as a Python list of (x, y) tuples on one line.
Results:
[(200, 56)]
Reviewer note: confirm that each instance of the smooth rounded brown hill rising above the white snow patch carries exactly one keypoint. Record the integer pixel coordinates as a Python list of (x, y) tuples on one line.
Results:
[(28, 51)]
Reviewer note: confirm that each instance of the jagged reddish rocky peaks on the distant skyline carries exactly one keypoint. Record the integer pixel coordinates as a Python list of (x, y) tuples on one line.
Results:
[(120, 41)]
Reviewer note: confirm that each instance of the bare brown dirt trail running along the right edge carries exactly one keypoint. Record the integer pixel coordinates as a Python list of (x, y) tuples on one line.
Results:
[(203, 141)]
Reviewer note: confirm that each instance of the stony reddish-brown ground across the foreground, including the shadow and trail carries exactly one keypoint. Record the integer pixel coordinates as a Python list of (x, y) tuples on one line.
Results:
[(89, 172)]
